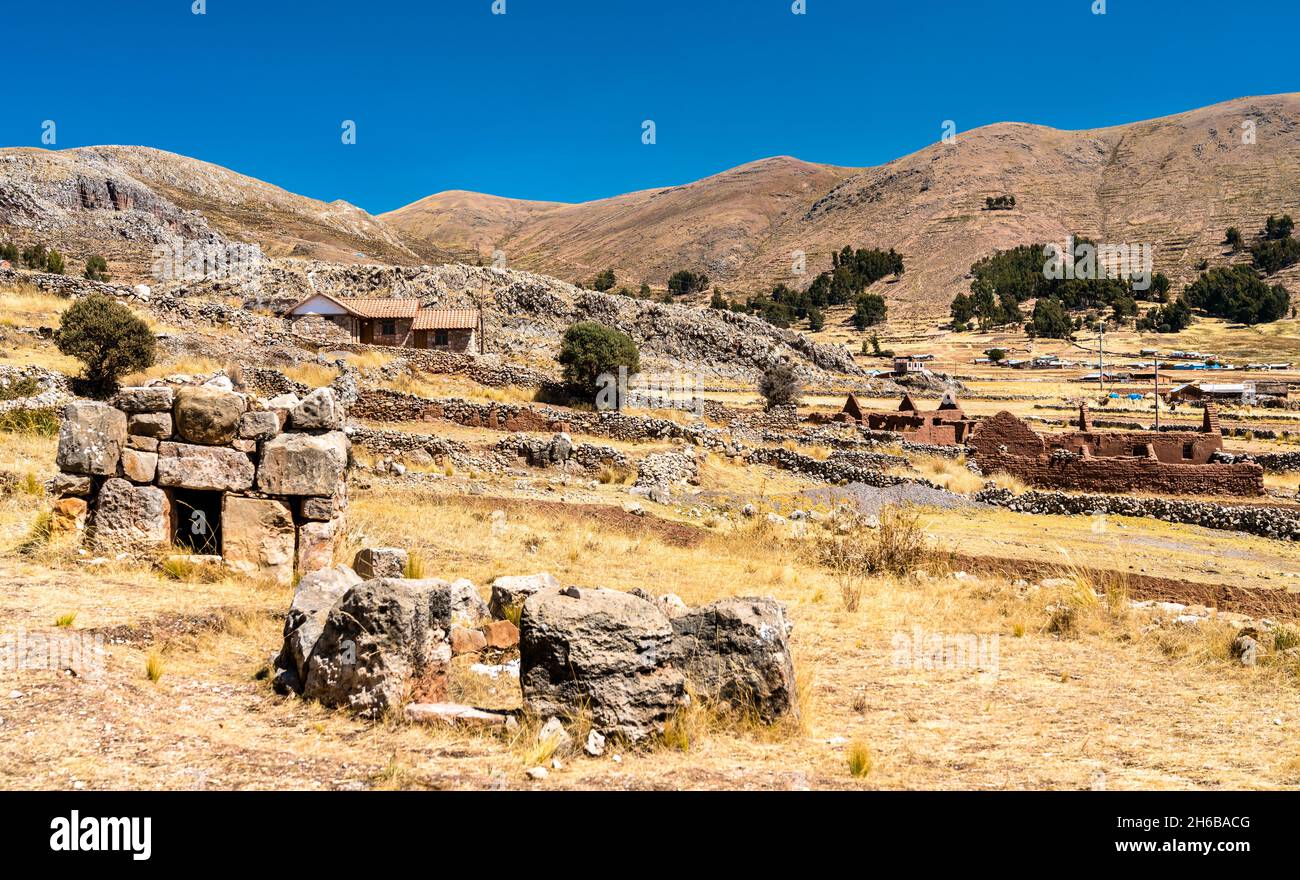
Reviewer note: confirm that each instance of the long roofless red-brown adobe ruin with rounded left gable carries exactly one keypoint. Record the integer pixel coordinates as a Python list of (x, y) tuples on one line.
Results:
[(1172, 463)]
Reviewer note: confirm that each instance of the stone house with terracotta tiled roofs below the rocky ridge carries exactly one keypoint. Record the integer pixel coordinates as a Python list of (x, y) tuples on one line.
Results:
[(388, 322)]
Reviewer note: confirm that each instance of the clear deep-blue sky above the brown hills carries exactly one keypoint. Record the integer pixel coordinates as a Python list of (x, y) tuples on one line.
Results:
[(548, 101)]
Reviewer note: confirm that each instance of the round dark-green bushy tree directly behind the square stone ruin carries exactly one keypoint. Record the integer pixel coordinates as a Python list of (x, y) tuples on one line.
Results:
[(109, 339)]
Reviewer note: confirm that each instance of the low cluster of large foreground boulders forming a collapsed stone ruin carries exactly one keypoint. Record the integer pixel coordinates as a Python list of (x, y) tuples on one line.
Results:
[(625, 662)]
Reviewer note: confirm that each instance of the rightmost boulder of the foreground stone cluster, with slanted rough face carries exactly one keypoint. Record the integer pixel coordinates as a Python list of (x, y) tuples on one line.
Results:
[(738, 652)]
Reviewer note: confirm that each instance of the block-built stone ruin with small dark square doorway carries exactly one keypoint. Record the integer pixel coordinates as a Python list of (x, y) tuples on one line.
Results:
[(210, 471)]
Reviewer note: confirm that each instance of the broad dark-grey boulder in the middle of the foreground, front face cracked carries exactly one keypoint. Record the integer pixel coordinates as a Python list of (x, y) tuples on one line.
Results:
[(601, 654)]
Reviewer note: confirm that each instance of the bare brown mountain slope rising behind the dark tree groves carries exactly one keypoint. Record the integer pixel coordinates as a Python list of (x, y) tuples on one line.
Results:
[(1176, 184)]
